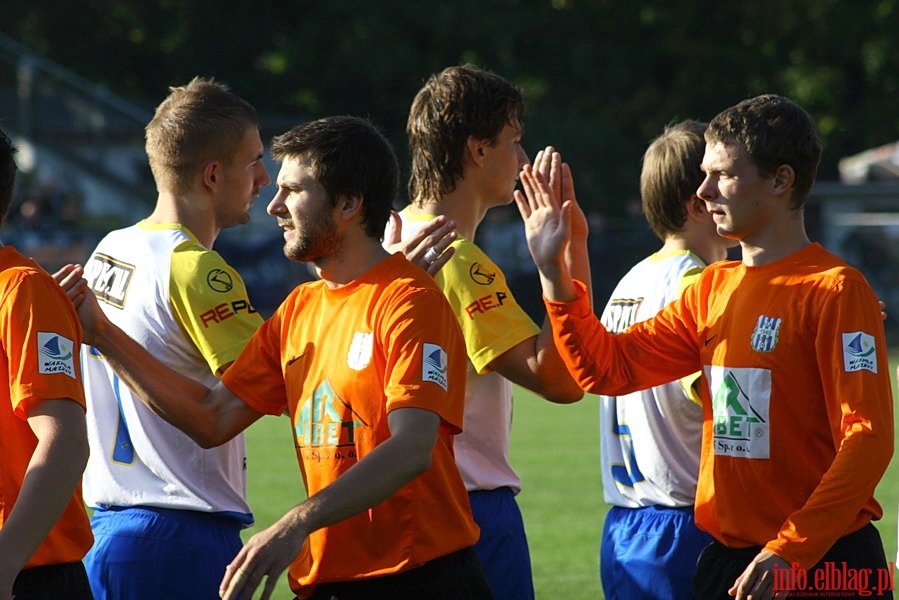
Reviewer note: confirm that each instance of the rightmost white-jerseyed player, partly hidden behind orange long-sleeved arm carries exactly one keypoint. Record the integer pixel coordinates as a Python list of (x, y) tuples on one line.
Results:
[(651, 440)]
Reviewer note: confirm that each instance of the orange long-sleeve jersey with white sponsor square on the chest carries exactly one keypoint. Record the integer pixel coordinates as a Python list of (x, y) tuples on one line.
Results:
[(797, 400)]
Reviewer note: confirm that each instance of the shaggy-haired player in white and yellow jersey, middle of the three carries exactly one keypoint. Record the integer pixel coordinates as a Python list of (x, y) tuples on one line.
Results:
[(465, 129)]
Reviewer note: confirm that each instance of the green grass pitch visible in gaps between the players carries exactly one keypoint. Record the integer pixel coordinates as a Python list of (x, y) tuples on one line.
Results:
[(556, 451)]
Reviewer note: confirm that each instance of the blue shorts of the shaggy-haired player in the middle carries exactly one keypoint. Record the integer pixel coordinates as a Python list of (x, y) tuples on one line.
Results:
[(502, 547)]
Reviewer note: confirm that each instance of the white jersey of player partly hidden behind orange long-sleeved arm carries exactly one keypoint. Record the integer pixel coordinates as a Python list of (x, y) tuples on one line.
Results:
[(650, 440)]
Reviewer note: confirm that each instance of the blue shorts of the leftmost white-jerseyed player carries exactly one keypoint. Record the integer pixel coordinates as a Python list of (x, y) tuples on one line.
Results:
[(143, 553)]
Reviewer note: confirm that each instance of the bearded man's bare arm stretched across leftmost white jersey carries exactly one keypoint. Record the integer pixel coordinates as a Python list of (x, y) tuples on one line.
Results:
[(209, 417)]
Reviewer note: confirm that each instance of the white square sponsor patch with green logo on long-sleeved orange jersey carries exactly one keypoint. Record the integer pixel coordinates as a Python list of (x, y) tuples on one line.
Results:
[(741, 399)]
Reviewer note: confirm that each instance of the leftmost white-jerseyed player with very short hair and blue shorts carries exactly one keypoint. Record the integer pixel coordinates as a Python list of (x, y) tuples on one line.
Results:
[(168, 514)]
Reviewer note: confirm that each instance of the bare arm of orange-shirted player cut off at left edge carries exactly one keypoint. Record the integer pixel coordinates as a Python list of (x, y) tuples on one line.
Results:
[(50, 479)]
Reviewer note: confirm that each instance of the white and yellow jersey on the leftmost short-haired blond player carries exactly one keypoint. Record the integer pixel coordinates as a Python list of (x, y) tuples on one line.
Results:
[(191, 310)]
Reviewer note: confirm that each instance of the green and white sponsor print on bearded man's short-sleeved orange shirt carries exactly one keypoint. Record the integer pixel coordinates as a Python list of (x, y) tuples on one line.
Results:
[(325, 421)]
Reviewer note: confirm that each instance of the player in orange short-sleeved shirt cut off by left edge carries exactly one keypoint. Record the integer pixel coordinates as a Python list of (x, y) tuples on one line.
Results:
[(44, 529)]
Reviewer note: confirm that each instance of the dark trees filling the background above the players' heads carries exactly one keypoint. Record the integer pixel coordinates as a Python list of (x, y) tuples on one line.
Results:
[(600, 76)]
